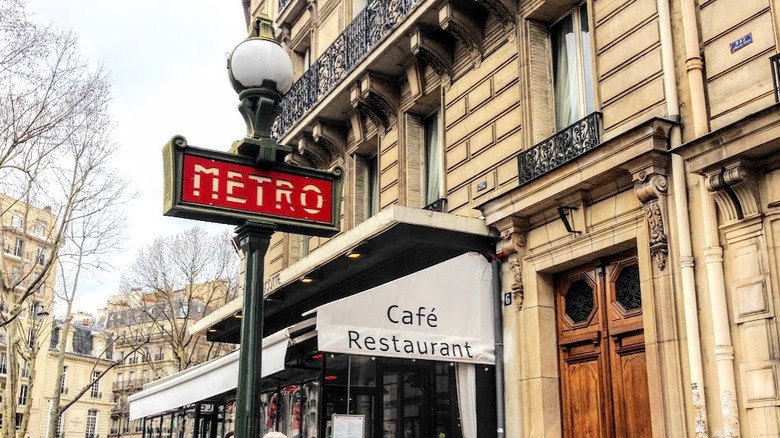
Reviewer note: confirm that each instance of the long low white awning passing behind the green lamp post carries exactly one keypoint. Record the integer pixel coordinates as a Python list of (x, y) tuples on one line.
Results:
[(205, 380)]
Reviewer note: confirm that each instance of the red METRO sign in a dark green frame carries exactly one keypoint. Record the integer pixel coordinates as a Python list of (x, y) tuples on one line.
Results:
[(227, 188)]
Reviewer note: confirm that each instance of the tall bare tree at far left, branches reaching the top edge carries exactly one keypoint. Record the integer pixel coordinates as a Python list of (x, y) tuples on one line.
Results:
[(55, 175)]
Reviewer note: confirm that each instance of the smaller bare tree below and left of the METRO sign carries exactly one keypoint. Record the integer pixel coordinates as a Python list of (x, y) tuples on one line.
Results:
[(172, 283)]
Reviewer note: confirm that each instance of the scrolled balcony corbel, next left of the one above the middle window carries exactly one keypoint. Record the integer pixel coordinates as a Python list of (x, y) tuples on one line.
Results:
[(376, 98)]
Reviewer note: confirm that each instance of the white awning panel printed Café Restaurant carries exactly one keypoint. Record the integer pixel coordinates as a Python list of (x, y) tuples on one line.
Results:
[(440, 313)]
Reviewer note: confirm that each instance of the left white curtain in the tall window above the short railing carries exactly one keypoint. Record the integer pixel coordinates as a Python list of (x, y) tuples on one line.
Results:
[(565, 90)]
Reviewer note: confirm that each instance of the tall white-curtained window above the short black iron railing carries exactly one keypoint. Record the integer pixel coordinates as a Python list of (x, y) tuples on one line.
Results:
[(572, 68)]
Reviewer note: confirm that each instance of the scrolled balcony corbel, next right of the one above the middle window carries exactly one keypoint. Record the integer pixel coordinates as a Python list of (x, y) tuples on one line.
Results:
[(466, 21)]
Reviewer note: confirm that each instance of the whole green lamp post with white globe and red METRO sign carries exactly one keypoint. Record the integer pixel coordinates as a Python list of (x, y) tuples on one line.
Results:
[(253, 188)]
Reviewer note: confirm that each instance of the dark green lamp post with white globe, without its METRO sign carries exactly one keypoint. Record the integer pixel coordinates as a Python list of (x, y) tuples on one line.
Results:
[(261, 72)]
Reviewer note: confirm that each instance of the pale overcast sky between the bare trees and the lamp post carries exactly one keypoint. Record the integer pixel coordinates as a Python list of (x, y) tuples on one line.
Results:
[(166, 60)]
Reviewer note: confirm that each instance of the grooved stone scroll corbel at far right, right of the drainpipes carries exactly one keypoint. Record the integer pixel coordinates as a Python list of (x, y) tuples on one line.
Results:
[(735, 190)]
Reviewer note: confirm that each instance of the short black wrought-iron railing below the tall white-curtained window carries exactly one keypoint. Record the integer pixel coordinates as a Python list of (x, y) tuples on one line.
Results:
[(559, 149)]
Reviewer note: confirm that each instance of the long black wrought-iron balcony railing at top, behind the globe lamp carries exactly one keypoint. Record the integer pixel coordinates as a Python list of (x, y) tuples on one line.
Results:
[(368, 28)]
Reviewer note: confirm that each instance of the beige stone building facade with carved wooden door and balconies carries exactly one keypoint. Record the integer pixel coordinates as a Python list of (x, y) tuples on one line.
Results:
[(622, 157)]
